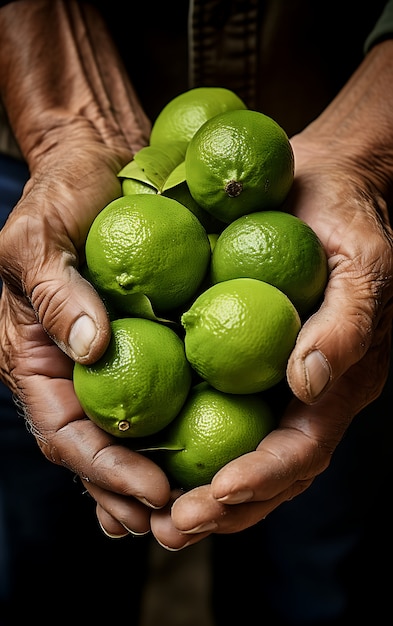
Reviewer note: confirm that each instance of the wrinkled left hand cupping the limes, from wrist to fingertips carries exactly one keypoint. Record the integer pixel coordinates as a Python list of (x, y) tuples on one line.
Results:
[(49, 316)]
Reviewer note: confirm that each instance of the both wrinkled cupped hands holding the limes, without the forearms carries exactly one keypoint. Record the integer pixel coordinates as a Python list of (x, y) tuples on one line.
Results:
[(338, 366)]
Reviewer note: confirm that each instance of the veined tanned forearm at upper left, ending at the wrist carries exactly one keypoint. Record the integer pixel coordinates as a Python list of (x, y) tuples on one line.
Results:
[(60, 72)]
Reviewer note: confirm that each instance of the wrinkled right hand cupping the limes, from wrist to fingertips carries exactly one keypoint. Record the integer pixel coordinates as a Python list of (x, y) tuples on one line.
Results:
[(338, 366)]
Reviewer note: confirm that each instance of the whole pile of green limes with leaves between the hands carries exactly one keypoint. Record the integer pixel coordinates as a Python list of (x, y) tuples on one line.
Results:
[(207, 281)]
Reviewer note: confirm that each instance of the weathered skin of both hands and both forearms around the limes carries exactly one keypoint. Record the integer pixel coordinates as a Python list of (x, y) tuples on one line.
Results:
[(76, 128)]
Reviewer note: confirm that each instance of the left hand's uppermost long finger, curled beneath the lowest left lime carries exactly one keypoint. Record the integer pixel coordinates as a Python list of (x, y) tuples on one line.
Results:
[(42, 379)]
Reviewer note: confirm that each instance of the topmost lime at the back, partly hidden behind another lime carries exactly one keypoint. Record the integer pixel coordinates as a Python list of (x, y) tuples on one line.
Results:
[(183, 115)]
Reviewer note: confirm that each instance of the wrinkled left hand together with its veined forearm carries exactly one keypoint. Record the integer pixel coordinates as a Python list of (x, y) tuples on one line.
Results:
[(76, 128)]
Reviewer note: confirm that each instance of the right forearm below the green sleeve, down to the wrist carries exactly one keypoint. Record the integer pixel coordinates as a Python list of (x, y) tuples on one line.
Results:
[(357, 127)]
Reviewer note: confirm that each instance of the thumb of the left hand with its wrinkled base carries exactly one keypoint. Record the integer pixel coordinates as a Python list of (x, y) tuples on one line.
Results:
[(66, 305)]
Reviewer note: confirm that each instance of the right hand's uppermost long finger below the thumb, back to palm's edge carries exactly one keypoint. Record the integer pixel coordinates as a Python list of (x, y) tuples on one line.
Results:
[(302, 446)]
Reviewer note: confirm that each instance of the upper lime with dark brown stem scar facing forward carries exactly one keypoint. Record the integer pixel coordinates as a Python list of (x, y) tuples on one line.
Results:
[(239, 162)]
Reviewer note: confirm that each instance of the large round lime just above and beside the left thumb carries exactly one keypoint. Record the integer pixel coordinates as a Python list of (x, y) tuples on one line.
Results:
[(147, 244)]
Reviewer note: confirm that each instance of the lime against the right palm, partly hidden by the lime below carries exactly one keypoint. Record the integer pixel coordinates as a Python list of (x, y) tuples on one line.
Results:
[(275, 247)]
